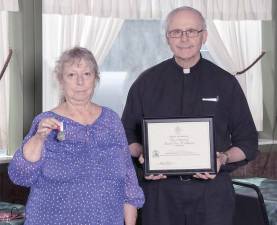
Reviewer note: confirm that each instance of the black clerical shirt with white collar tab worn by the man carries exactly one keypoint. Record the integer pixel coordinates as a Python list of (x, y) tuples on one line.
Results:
[(165, 91)]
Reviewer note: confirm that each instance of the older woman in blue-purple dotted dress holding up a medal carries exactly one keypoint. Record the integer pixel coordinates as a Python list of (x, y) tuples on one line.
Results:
[(75, 157)]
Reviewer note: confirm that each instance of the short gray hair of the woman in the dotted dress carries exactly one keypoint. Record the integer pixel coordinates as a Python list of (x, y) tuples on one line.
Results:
[(72, 56)]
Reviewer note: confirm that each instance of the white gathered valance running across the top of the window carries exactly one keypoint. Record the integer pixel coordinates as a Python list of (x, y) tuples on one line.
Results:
[(156, 9)]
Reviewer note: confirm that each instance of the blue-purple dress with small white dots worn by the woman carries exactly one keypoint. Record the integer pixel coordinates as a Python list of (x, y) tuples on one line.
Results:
[(83, 180)]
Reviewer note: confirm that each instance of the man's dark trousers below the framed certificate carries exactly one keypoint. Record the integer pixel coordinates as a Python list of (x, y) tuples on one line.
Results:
[(189, 202)]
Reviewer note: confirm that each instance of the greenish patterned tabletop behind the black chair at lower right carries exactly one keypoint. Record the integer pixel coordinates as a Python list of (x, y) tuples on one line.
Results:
[(268, 189)]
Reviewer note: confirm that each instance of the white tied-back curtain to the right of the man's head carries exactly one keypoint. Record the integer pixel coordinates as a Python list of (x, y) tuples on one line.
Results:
[(234, 45)]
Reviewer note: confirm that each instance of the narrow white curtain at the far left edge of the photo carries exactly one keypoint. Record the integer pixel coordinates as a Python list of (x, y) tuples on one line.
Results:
[(4, 83)]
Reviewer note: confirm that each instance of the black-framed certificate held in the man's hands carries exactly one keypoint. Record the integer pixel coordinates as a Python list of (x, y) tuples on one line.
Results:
[(179, 146)]
